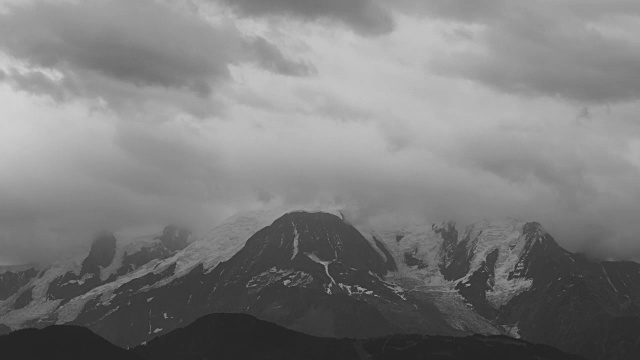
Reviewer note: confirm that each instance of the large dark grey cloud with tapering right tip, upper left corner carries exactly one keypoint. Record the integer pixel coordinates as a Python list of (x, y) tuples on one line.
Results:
[(144, 49)]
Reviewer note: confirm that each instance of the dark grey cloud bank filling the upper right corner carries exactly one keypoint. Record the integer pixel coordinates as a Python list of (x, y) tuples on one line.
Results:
[(582, 52)]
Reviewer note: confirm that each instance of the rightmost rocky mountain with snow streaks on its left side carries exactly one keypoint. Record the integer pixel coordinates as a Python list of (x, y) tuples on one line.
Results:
[(550, 295)]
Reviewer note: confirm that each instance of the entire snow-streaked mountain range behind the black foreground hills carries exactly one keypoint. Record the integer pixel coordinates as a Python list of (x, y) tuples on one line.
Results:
[(316, 273)]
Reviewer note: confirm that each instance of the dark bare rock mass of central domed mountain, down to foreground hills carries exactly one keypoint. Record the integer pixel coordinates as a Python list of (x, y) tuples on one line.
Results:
[(307, 271)]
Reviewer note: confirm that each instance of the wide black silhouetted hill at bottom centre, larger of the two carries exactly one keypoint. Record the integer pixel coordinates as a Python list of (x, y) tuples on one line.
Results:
[(239, 336)]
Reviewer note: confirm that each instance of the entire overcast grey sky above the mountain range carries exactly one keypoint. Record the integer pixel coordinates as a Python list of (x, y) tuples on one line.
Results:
[(126, 115)]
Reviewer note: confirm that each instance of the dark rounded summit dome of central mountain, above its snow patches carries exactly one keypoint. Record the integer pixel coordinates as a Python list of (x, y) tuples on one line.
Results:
[(318, 244)]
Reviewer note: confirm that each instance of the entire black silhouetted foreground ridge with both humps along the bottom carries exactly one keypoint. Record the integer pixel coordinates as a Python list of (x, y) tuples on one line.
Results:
[(240, 336)]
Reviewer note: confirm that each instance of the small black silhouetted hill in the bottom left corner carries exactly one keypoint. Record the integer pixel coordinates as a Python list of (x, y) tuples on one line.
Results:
[(60, 342)]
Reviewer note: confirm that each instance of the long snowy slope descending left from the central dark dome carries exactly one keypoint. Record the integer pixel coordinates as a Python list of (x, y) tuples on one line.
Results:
[(141, 258)]
